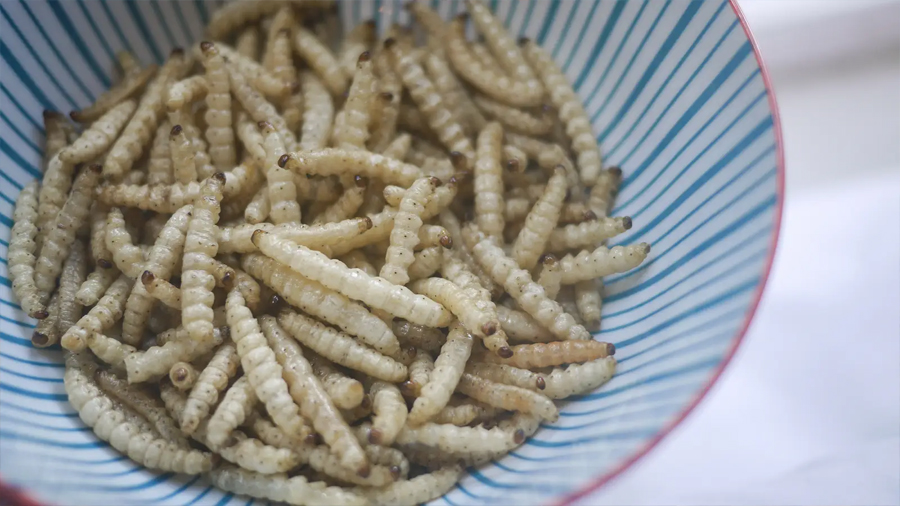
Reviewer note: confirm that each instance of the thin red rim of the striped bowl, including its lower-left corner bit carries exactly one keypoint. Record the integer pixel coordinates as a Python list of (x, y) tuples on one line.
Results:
[(17, 496)]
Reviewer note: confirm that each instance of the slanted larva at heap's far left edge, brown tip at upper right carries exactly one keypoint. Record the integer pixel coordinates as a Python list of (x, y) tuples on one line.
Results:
[(60, 237)]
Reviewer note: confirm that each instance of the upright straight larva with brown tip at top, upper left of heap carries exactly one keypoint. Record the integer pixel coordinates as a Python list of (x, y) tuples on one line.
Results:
[(219, 132)]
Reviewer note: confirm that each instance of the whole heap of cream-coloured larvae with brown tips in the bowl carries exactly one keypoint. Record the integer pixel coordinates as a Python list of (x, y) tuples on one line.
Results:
[(389, 254)]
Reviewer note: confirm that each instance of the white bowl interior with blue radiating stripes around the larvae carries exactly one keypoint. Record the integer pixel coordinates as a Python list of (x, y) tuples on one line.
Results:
[(679, 99)]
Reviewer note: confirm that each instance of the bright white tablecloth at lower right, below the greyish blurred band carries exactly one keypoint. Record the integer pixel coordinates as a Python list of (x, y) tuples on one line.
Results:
[(809, 410)]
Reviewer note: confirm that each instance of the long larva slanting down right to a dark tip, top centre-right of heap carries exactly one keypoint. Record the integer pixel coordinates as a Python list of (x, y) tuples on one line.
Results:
[(438, 117)]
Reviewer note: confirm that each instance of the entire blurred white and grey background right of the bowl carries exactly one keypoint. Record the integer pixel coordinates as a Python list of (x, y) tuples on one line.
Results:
[(808, 412)]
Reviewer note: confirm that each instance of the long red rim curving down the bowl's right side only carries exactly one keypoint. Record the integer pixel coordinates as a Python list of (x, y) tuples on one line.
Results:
[(739, 337)]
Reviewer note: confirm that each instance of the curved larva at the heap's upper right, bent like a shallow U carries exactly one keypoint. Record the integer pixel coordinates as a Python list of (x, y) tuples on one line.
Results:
[(488, 79)]
